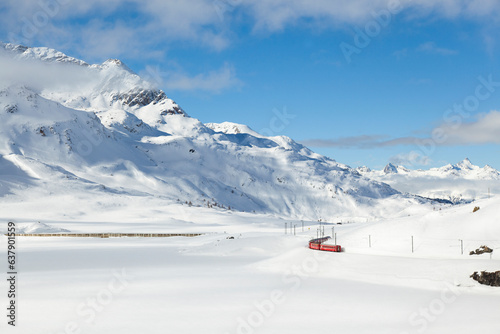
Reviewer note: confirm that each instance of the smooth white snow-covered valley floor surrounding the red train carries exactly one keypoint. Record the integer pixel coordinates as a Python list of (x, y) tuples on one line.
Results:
[(262, 281)]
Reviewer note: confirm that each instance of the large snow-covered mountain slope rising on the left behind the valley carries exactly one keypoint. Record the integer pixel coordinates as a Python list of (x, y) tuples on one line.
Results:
[(103, 129)]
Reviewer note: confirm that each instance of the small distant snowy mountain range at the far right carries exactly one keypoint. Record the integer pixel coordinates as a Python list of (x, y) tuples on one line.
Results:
[(462, 181)]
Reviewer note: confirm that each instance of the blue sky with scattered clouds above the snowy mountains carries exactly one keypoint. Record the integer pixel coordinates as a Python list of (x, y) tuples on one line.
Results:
[(362, 81)]
